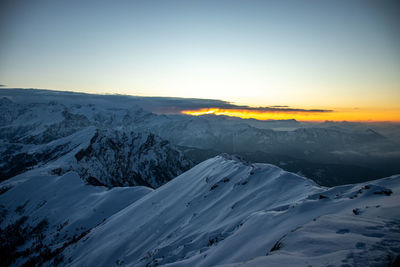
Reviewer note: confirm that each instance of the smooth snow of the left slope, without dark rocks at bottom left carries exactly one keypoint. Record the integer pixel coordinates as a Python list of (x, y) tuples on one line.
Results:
[(70, 207)]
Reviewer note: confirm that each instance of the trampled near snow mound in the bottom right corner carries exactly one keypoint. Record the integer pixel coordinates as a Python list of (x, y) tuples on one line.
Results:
[(338, 240)]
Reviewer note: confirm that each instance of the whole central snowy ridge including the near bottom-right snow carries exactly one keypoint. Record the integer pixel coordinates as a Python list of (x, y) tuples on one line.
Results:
[(227, 211)]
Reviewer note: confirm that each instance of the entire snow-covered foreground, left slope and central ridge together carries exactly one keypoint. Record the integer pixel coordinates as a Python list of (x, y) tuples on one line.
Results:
[(224, 211)]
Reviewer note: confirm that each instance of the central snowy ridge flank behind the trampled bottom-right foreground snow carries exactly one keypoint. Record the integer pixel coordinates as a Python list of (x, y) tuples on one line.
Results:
[(223, 215)]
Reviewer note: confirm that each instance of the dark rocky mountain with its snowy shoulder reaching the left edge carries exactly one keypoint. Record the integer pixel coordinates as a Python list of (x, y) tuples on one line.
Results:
[(101, 157)]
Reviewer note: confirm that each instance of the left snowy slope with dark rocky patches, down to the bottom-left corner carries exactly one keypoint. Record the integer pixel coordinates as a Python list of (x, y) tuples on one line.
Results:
[(42, 214)]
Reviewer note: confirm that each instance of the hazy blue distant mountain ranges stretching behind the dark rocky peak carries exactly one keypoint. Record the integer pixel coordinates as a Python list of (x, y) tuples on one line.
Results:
[(329, 153)]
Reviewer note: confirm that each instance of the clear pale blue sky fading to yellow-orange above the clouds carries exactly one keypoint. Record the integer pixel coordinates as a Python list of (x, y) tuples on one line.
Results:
[(342, 56)]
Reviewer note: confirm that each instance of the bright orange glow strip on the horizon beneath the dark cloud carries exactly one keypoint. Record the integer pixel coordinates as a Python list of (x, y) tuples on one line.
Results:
[(361, 115)]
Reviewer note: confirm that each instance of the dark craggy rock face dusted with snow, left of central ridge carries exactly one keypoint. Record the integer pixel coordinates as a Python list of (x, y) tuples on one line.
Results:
[(121, 158)]
